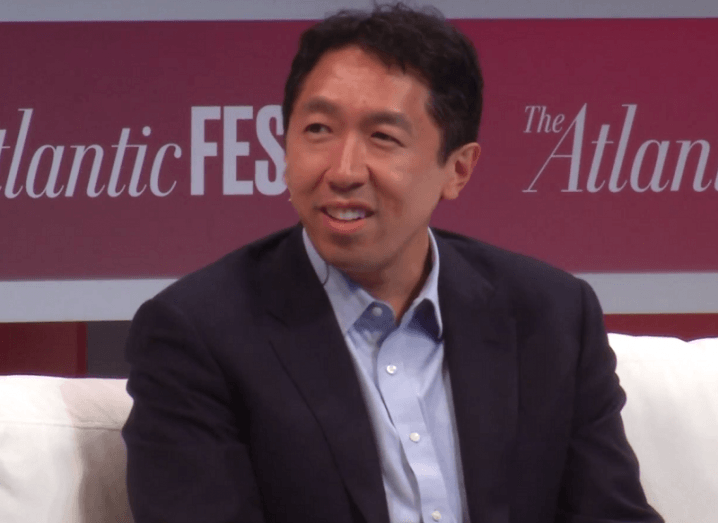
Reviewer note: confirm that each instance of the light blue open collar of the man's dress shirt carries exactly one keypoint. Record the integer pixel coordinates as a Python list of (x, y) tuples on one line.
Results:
[(349, 300)]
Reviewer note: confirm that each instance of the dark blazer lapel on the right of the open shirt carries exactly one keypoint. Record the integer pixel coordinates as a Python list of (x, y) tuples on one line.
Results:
[(480, 349)]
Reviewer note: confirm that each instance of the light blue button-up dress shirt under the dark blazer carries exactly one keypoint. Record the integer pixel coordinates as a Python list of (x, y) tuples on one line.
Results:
[(406, 387)]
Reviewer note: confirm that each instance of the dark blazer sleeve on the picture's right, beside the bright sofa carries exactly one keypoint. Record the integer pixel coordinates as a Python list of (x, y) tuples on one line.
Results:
[(601, 477)]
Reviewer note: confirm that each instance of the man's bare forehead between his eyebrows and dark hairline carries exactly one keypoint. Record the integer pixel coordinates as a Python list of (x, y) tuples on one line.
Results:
[(355, 79)]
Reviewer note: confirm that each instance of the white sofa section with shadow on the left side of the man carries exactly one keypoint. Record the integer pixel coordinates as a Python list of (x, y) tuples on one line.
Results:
[(62, 458)]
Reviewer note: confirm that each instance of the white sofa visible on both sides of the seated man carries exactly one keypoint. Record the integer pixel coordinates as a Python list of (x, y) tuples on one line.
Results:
[(62, 459)]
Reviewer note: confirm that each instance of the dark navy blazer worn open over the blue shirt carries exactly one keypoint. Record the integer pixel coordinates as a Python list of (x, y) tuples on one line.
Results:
[(247, 407)]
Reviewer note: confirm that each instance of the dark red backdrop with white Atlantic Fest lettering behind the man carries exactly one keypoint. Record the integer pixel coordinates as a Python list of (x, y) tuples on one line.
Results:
[(134, 152)]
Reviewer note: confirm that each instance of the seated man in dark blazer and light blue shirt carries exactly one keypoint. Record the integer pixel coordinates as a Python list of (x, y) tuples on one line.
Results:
[(362, 367)]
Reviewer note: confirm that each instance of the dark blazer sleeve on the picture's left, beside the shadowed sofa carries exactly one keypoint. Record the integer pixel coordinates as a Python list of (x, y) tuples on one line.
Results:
[(187, 457)]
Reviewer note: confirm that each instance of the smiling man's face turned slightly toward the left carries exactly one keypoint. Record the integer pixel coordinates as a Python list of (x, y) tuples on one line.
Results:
[(362, 163)]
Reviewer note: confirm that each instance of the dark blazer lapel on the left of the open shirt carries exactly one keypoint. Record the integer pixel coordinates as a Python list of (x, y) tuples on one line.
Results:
[(307, 339)]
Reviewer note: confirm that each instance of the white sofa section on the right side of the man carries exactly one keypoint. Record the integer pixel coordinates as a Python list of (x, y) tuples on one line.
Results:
[(671, 421)]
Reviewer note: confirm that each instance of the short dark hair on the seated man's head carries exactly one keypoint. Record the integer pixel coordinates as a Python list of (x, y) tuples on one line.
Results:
[(422, 40)]
